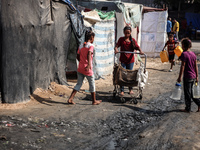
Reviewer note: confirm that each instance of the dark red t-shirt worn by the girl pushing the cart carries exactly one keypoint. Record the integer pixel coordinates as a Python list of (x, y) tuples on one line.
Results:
[(127, 46)]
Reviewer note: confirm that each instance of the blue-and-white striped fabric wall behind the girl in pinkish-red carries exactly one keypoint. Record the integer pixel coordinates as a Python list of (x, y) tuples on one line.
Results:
[(104, 43)]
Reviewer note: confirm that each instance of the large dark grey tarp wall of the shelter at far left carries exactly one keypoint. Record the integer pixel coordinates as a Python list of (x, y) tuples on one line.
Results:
[(34, 45)]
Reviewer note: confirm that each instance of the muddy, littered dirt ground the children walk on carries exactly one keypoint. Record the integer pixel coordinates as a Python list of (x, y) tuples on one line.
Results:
[(48, 122)]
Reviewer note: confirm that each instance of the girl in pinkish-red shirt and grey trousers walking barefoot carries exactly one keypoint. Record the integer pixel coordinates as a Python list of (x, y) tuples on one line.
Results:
[(85, 56)]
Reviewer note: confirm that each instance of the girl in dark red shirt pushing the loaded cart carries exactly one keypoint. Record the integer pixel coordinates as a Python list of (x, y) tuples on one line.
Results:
[(129, 44)]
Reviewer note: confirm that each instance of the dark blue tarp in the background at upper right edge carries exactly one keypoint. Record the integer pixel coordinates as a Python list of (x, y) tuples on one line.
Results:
[(194, 18)]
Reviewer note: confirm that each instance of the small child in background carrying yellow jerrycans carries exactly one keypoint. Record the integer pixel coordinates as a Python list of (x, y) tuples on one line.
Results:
[(171, 45)]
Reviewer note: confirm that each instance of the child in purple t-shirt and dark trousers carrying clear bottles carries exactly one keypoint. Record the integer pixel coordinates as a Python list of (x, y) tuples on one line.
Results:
[(189, 71)]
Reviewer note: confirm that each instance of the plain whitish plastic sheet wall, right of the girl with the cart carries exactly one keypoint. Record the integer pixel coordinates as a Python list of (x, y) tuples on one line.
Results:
[(154, 32)]
